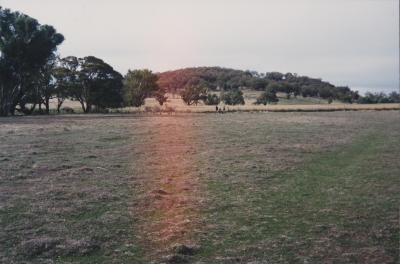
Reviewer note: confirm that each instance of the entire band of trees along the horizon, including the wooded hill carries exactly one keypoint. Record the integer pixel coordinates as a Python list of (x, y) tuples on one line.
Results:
[(32, 75)]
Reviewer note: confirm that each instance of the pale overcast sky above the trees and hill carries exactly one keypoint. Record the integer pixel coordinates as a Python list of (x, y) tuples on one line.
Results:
[(345, 42)]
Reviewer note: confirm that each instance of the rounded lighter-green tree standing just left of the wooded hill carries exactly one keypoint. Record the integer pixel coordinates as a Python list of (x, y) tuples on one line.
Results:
[(139, 85)]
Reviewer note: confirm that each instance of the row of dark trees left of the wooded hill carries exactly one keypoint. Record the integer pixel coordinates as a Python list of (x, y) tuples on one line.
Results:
[(31, 73)]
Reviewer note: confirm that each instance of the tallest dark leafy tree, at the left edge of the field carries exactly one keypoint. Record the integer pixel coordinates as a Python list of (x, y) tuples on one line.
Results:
[(25, 47)]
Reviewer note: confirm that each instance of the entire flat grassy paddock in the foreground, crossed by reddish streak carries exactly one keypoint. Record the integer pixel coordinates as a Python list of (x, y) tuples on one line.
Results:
[(240, 187)]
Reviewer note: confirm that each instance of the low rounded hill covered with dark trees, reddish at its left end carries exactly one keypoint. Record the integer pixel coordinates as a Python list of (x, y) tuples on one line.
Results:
[(217, 78)]
